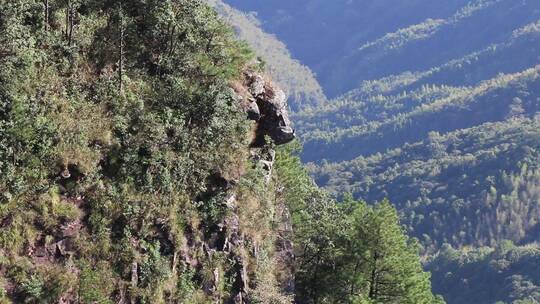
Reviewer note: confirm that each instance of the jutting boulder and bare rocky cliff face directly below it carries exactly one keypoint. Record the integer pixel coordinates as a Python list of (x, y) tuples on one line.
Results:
[(260, 262)]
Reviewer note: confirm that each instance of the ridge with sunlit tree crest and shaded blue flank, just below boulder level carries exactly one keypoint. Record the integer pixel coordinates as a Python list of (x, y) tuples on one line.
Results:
[(437, 109)]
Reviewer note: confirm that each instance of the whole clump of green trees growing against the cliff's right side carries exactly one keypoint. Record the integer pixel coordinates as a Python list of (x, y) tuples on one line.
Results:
[(349, 252)]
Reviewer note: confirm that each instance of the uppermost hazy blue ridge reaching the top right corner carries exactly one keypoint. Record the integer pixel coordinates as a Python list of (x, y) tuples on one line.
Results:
[(432, 42)]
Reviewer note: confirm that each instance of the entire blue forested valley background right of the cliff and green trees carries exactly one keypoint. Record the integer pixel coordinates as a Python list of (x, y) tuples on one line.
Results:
[(434, 107)]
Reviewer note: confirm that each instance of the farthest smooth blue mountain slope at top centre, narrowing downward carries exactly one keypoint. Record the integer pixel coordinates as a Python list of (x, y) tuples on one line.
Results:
[(322, 33)]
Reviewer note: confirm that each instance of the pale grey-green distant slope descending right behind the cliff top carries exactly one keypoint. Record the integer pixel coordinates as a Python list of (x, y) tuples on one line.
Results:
[(296, 79)]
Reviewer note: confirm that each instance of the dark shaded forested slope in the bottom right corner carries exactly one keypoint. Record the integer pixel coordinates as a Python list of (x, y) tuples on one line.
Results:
[(504, 274)]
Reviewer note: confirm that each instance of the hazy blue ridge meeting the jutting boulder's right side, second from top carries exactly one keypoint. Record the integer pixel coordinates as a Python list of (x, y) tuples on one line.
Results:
[(395, 94)]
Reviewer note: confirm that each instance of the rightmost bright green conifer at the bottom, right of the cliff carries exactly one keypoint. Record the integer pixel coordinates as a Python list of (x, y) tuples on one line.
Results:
[(382, 264)]
